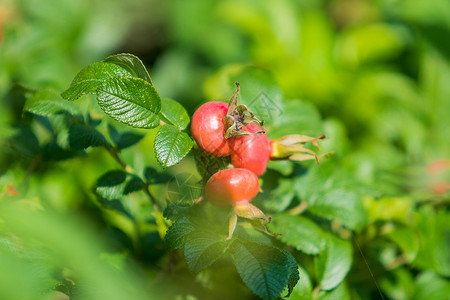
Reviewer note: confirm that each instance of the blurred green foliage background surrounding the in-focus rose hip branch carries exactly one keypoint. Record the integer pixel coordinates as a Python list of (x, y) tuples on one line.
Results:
[(374, 76)]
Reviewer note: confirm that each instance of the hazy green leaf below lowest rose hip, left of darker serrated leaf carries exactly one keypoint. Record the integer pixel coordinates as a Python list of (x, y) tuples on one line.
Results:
[(203, 248)]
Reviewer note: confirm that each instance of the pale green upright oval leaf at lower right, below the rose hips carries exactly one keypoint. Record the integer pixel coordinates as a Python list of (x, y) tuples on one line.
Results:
[(334, 262)]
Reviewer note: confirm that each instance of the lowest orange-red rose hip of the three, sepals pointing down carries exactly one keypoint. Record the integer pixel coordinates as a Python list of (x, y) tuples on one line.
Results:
[(232, 186)]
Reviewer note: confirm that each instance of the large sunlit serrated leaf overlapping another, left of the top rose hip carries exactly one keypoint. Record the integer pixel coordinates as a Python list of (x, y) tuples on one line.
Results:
[(131, 101)]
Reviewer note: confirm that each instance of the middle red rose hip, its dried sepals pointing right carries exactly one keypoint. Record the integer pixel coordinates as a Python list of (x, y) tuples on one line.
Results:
[(251, 152)]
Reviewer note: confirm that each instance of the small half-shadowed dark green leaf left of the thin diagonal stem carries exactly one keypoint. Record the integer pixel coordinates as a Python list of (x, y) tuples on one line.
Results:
[(116, 184)]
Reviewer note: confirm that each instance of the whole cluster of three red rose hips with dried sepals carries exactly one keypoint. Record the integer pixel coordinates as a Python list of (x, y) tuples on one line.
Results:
[(229, 129)]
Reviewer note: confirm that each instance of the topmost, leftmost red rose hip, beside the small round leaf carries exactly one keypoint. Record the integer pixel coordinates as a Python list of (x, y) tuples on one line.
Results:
[(208, 129)]
